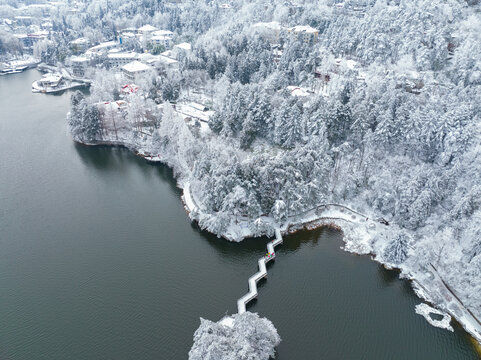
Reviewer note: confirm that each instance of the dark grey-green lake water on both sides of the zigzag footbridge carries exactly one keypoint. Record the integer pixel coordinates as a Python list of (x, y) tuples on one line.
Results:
[(98, 260)]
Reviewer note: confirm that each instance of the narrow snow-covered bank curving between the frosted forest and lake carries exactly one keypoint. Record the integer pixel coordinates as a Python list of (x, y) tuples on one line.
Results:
[(454, 307)]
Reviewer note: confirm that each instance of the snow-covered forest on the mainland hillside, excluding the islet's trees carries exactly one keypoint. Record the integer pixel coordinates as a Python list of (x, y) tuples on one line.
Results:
[(379, 109)]
